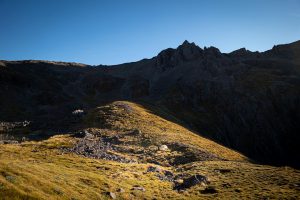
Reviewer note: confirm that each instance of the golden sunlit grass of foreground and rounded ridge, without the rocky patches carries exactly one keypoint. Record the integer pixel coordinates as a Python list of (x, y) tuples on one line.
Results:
[(40, 170)]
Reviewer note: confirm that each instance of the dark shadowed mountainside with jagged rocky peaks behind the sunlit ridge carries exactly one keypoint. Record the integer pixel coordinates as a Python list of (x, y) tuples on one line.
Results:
[(248, 101)]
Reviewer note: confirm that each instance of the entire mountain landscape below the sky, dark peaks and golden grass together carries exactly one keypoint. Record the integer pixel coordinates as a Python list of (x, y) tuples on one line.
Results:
[(189, 123)]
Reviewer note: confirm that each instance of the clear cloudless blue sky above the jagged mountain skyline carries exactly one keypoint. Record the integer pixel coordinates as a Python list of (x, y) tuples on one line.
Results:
[(118, 31)]
